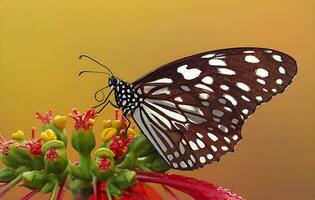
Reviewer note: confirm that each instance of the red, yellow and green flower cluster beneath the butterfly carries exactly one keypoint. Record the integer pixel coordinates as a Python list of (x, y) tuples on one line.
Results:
[(120, 168)]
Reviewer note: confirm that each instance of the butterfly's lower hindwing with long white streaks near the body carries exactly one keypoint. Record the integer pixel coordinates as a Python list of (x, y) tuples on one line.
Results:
[(189, 135)]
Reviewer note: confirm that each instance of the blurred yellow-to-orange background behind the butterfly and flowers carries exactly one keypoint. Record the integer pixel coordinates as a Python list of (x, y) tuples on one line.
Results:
[(40, 42)]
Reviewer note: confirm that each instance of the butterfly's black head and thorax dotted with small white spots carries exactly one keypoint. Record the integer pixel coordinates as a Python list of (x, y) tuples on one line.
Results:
[(126, 97)]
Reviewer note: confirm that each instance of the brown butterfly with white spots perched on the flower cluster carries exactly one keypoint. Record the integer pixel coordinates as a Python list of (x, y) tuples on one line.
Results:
[(192, 110)]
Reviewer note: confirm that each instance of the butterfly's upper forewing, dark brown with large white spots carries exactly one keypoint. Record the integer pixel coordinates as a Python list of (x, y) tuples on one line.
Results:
[(246, 76)]
